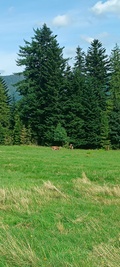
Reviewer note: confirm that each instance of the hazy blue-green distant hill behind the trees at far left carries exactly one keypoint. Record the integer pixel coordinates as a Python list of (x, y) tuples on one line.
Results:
[(10, 81)]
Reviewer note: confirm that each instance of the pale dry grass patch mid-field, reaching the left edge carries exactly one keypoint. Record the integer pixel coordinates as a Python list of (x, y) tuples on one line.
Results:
[(27, 200)]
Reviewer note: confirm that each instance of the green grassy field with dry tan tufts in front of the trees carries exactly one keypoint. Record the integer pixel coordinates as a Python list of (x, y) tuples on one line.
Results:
[(59, 208)]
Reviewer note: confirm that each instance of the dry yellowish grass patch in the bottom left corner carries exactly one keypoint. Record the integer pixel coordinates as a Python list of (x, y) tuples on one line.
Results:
[(17, 251)]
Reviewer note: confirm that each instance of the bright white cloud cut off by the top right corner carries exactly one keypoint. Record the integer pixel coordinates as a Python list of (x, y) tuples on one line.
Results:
[(101, 7)]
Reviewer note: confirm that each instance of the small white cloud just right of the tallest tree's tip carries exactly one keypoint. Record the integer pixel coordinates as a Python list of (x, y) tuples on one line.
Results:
[(61, 20)]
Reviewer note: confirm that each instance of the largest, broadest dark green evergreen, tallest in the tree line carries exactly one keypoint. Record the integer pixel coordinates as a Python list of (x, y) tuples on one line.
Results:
[(44, 75)]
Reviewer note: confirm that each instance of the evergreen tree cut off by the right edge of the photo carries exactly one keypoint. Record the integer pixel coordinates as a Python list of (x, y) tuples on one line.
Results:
[(114, 103)]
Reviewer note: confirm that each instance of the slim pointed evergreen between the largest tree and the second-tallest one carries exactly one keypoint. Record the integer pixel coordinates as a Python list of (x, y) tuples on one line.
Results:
[(78, 85)]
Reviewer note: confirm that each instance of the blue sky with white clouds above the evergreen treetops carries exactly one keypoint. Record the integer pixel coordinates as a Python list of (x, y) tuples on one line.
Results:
[(75, 22)]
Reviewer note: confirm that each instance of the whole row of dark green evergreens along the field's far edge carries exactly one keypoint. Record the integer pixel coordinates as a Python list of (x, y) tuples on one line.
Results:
[(62, 104)]
